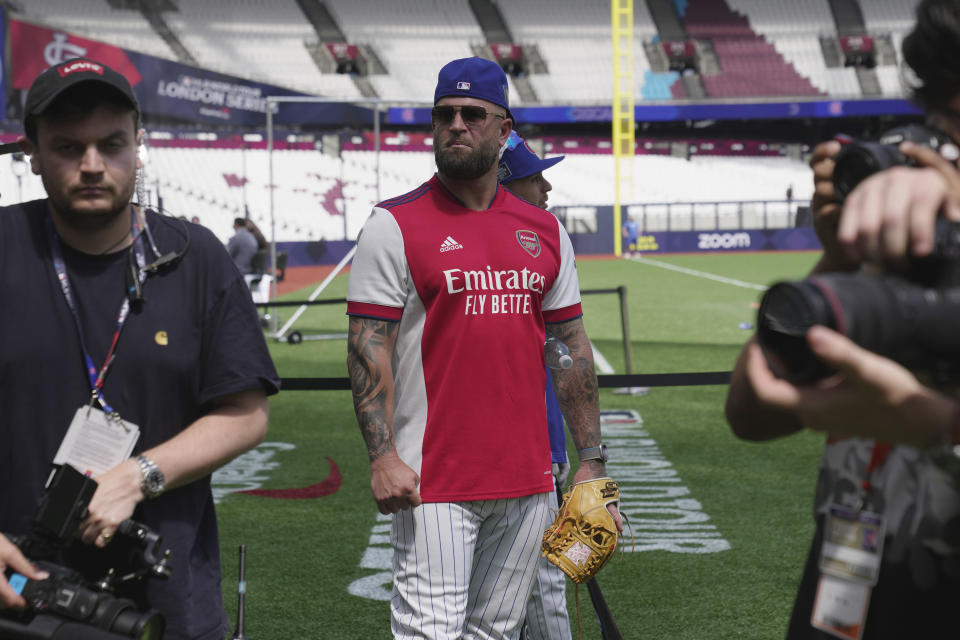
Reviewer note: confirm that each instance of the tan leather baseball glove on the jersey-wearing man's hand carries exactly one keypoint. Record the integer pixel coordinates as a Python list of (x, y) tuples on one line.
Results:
[(583, 536)]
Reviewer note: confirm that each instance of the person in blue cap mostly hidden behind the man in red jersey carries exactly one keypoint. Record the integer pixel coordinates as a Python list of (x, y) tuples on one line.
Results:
[(521, 171)]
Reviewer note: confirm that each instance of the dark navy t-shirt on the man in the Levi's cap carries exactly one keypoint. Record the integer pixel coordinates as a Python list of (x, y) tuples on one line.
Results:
[(196, 338)]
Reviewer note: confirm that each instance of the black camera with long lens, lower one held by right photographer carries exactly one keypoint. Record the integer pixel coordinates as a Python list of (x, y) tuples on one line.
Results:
[(910, 316)]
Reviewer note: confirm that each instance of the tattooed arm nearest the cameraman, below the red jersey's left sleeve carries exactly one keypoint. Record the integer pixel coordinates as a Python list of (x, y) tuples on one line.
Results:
[(369, 350)]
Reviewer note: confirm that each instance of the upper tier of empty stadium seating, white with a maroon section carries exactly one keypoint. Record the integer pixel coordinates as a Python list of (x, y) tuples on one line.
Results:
[(745, 48)]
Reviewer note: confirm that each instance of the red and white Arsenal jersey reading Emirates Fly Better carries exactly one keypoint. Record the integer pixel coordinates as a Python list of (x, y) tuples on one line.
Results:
[(471, 291)]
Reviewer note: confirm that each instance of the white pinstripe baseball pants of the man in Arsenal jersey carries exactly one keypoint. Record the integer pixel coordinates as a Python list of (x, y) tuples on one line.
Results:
[(465, 569)]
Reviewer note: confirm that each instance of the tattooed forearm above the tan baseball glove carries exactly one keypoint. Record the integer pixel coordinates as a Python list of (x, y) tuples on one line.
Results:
[(576, 387)]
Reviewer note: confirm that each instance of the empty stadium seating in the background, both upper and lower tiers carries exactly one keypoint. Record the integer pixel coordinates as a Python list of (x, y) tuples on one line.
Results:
[(737, 48)]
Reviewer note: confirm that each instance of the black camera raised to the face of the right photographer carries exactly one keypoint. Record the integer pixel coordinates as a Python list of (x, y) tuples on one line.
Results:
[(859, 159)]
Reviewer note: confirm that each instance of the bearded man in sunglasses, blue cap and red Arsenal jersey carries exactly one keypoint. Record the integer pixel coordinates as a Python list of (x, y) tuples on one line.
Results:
[(450, 292)]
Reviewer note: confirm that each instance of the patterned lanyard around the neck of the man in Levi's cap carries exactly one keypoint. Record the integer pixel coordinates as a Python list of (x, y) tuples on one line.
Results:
[(60, 267)]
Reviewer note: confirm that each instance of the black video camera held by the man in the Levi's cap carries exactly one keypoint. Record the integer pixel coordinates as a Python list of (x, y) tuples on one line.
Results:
[(65, 605)]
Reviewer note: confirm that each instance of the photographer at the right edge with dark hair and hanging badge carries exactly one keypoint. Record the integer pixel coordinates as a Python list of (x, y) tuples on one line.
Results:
[(884, 559)]
